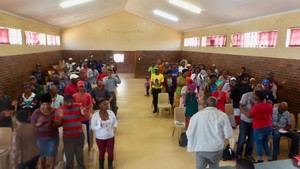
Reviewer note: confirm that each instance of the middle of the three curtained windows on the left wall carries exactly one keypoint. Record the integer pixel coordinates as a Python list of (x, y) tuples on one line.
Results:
[(34, 38)]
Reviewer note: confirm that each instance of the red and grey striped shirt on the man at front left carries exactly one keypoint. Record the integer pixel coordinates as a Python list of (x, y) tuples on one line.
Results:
[(71, 121)]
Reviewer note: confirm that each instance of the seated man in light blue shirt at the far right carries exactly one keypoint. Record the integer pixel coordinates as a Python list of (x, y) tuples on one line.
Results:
[(281, 120)]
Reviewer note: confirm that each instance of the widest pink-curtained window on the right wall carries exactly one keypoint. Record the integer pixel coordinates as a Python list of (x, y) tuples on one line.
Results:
[(261, 39)]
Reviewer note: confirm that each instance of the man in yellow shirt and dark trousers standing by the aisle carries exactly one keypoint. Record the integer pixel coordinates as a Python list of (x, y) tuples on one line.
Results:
[(157, 80)]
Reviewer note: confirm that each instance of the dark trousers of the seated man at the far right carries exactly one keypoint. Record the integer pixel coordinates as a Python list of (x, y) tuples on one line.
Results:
[(290, 134)]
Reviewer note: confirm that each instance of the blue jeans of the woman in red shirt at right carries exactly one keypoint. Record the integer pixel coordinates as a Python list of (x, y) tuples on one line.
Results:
[(261, 137)]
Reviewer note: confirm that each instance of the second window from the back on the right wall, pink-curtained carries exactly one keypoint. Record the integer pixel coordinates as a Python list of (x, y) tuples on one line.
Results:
[(215, 41)]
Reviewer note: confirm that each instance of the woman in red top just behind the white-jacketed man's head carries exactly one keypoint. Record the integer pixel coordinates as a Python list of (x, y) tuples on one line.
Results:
[(221, 96)]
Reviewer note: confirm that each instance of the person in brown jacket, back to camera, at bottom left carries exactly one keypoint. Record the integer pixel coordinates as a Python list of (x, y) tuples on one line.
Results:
[(24, 152)]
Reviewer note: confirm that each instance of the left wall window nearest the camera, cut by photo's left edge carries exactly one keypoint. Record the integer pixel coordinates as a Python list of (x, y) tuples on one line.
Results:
[(10, 36)]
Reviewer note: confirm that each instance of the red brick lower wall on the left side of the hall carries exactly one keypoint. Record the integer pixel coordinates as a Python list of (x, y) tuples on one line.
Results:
[(16, 69)]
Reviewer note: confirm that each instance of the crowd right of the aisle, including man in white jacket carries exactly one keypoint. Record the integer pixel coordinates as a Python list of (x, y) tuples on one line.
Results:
[(253, 108)]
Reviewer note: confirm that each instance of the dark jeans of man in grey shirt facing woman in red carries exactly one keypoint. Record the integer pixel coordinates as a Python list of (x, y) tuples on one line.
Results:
[(245, 130)]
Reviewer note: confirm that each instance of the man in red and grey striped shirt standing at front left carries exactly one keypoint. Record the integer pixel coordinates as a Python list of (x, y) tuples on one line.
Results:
[(70, 116)]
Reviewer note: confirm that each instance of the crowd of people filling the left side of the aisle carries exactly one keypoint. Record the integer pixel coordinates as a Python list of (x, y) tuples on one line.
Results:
[(66, 101)]
